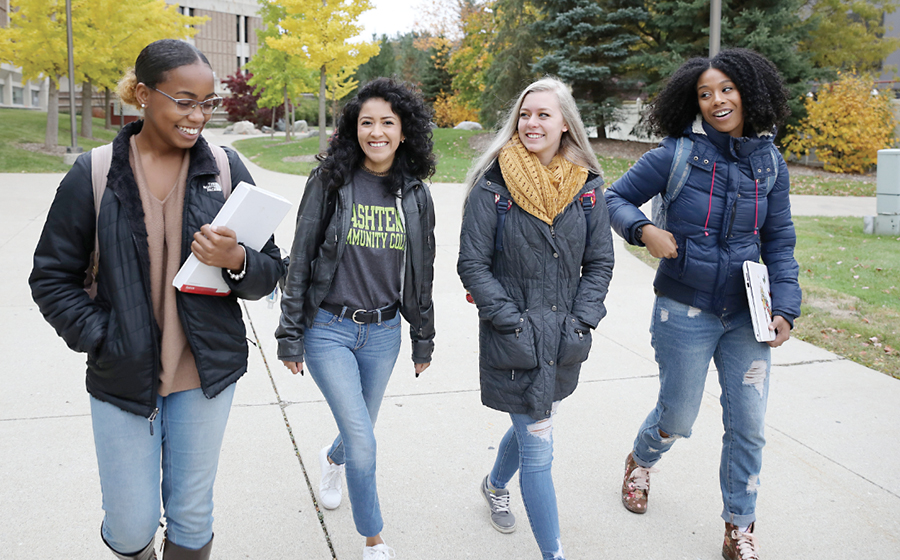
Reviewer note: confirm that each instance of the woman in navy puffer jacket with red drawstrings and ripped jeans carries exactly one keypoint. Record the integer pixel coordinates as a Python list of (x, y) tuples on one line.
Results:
[(732, 207)]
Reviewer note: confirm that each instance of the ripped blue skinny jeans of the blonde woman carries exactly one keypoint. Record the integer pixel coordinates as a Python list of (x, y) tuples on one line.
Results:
[(528, 448)]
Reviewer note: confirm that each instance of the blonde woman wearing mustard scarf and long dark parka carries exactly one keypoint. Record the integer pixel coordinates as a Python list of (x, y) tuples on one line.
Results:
[(539, 276)]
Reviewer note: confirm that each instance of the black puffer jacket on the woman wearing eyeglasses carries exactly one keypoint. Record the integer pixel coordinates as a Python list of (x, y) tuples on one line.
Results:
[(117, 329)]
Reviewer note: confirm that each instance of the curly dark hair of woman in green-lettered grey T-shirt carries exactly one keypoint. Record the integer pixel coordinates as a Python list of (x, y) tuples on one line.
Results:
[(413, 158)]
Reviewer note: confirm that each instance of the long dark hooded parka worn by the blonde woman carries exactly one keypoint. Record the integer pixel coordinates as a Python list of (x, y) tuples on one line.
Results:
[(537, 299)]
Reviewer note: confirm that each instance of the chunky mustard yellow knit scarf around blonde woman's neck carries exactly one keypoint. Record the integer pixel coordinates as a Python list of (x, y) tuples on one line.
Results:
[(541, 191)]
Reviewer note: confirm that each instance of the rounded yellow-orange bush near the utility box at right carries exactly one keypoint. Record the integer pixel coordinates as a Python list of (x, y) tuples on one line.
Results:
[(847, 122)]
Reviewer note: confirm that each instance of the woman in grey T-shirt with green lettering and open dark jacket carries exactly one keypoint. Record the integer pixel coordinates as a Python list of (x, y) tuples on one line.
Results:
[(363, 254)]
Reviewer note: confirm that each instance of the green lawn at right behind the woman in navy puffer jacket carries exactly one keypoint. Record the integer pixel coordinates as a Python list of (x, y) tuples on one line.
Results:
[(851, 284)]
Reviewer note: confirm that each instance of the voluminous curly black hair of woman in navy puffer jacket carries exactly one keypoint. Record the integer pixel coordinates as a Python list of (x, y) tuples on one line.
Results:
[(763, 93)]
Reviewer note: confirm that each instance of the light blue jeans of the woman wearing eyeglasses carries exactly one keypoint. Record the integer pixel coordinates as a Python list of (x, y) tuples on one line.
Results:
[(187, 437)]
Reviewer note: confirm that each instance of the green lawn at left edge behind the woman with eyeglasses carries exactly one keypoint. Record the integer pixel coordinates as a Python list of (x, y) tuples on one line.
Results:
[(23, 126)]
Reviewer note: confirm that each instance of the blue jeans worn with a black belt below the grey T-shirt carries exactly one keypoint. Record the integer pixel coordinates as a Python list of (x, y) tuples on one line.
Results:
[(352, 364)]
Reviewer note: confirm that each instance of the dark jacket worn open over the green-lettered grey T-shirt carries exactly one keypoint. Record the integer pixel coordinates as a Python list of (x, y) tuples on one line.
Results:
[(321, 234)]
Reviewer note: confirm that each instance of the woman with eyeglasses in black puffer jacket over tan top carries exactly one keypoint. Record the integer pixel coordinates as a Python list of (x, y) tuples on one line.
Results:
[(161, 364)]
